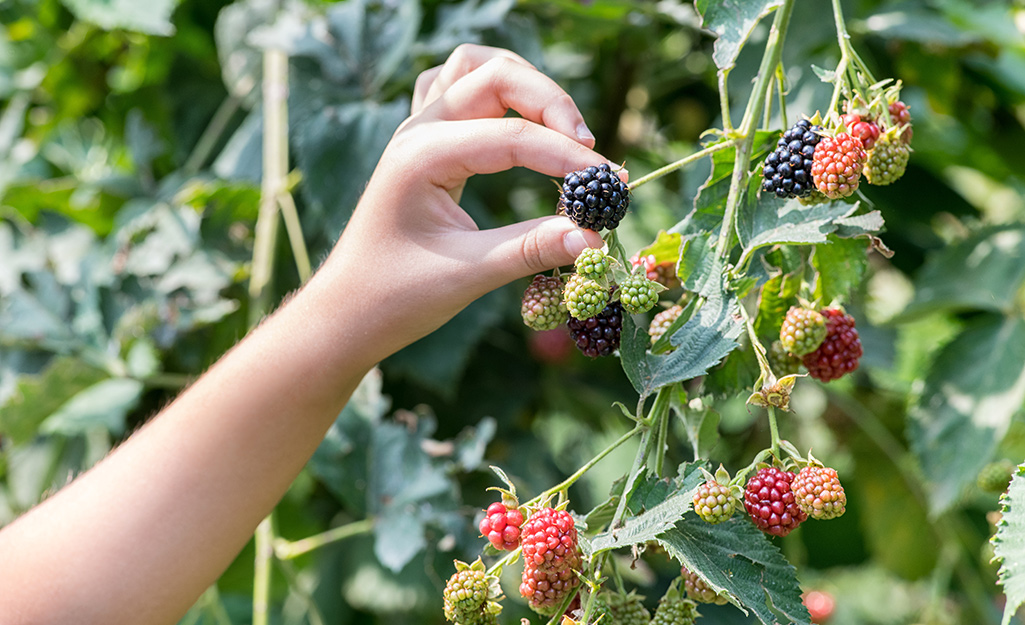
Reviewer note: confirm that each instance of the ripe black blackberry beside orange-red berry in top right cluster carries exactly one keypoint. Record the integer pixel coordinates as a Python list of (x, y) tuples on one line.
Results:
[(788, 172)]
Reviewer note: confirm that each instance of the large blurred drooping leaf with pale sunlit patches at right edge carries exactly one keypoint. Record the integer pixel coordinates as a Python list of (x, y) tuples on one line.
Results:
[(974, 388)]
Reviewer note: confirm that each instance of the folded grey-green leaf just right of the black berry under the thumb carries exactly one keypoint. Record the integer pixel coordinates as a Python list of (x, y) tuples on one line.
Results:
[(705, 341)]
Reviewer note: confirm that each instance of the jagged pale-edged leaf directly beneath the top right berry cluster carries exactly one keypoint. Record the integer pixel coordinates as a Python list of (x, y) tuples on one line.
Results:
[(766, 222)]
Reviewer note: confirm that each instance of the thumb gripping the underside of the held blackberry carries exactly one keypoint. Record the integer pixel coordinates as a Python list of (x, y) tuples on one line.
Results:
[(530, 247)]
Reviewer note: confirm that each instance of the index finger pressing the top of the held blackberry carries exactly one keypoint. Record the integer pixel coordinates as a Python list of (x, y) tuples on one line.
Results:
[(448, 153)]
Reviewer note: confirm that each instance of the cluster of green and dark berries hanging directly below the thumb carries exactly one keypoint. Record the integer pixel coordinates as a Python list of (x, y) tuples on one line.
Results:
[(592, 303)]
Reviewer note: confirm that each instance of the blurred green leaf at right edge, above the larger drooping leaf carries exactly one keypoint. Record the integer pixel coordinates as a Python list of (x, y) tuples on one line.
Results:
[(990, 267)]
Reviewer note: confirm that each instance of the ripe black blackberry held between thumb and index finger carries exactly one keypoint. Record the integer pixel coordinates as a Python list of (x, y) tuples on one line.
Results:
[(595, 198)]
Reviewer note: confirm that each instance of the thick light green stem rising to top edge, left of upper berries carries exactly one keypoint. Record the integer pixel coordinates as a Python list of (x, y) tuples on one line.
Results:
[(739, 184)]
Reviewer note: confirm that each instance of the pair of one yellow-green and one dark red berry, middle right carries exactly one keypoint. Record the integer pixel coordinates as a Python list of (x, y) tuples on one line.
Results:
[(825, 342)]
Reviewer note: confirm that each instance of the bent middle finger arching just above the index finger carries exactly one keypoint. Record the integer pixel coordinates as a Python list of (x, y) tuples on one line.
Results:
[(501, 85)]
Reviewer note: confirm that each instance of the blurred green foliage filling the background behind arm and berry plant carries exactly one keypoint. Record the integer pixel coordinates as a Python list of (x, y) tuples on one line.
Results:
[(131, 165)]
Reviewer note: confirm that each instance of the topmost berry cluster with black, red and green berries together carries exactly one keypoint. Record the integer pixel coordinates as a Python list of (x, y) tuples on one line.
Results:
[(815, 165)]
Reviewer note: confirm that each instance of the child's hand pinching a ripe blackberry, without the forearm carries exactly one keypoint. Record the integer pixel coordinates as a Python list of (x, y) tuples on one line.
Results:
[(417, 257)]
